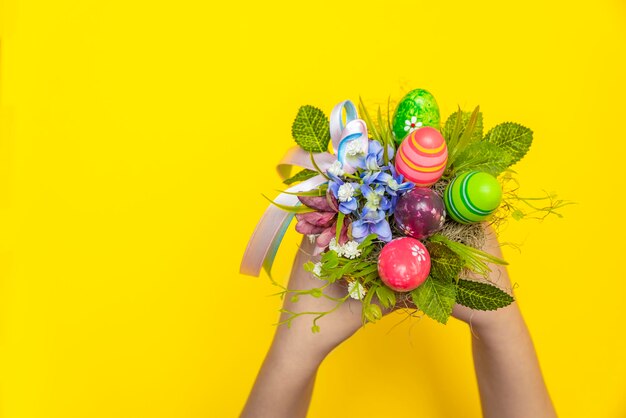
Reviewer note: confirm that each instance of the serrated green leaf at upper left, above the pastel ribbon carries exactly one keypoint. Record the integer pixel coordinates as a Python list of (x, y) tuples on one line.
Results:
[(311, 130)]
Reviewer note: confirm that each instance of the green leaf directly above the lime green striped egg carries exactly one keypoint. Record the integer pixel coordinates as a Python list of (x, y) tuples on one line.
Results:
[(482, 156)]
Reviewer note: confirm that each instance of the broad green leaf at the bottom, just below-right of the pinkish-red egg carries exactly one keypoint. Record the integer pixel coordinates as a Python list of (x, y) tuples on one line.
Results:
[(435, 298)]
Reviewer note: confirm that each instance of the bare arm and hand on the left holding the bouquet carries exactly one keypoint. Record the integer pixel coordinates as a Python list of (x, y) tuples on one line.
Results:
[(285, 382)]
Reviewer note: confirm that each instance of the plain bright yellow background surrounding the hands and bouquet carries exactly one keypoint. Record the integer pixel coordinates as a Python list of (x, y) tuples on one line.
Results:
[(136, 139)]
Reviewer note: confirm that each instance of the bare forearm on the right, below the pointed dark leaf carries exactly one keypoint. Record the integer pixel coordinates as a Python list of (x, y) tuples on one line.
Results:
[(507, 369)]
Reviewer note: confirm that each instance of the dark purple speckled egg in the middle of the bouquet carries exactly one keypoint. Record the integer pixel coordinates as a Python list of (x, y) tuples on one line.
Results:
[(420, 212)]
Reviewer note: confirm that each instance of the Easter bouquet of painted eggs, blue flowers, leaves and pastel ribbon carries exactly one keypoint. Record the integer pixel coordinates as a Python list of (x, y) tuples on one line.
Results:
[(395, 208)]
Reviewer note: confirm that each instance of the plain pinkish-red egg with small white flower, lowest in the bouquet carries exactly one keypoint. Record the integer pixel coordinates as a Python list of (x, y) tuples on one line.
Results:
[(403, 264)]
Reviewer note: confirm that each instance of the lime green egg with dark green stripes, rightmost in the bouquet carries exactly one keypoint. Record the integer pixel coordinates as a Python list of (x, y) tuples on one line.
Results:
[(472, 196)]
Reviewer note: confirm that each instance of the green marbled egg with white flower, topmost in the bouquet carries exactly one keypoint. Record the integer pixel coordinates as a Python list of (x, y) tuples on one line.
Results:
[(417, 109)]
